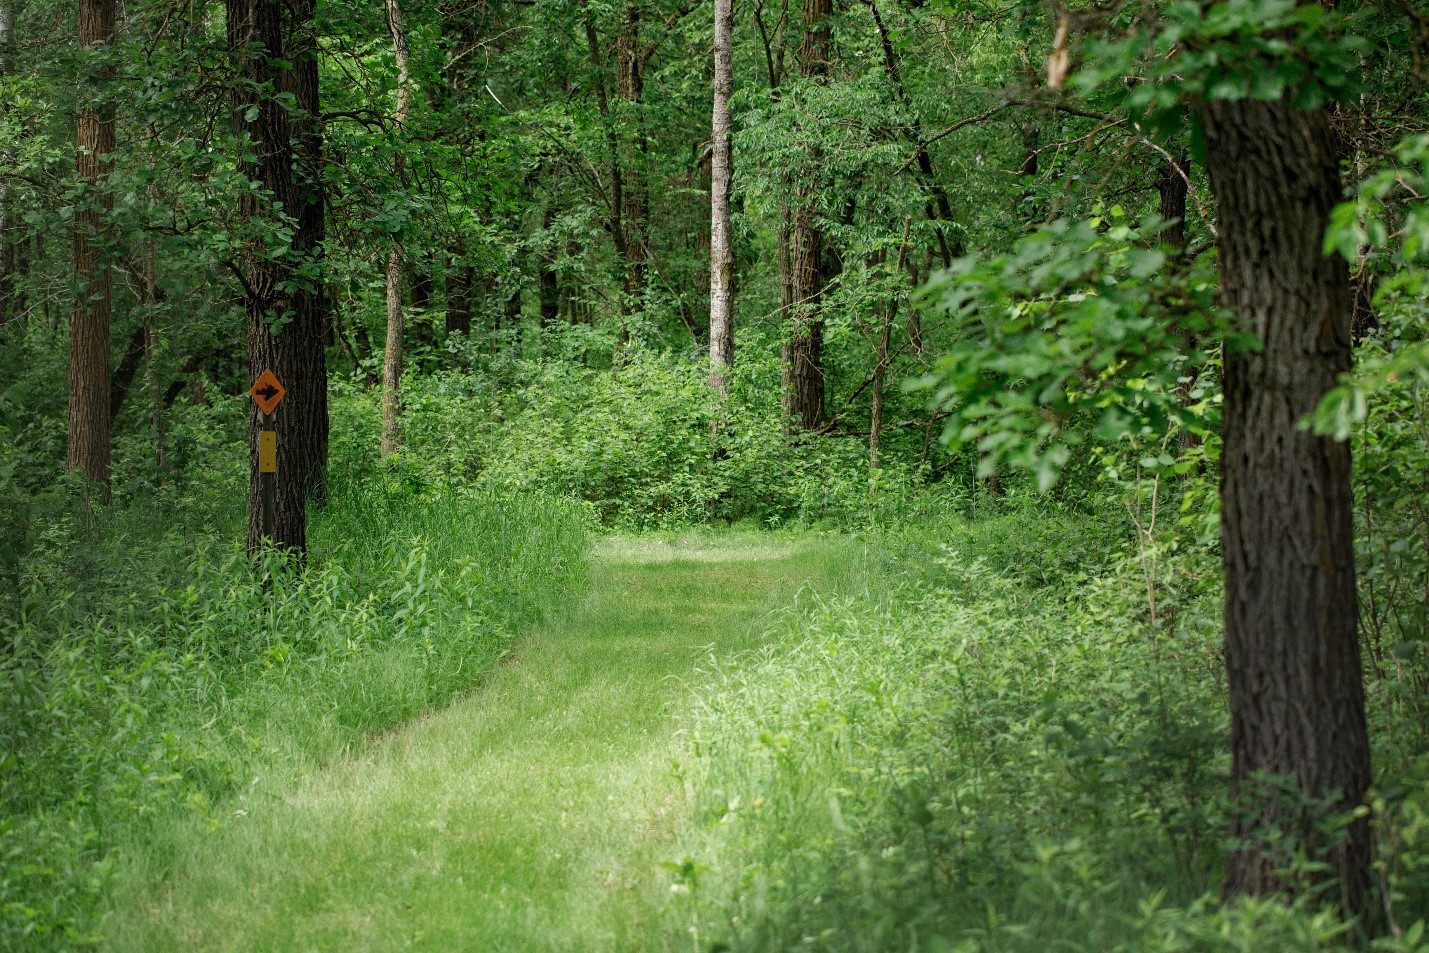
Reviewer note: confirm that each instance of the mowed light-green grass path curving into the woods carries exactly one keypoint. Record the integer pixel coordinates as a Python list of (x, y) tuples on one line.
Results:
[(528, 817)]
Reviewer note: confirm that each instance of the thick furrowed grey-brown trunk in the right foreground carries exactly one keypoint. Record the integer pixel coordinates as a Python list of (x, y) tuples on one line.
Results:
[(1293, 654)]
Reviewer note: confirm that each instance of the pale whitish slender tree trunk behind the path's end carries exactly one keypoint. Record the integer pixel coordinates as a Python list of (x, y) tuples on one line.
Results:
[(722, 254)]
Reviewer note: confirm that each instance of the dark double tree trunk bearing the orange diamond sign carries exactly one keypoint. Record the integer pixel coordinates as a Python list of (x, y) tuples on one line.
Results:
[(274, 52)]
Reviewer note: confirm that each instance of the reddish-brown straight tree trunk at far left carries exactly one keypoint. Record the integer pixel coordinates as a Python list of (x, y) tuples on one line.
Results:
[(89, 444)]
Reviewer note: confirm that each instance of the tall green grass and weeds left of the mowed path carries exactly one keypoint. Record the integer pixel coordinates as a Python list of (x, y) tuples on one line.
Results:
[(152, 668)]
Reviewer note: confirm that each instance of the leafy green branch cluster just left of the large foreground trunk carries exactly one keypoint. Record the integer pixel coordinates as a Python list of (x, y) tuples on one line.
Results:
[(1080, 332)]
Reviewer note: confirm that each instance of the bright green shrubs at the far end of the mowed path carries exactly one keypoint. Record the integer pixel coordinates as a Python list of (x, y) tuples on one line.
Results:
[(635, 442)]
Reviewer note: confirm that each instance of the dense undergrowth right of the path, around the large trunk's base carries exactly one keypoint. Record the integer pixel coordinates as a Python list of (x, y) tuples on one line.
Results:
[(1022, 751)]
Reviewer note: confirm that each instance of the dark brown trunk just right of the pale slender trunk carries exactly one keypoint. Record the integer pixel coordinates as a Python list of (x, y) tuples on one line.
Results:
[(804, 255)]
